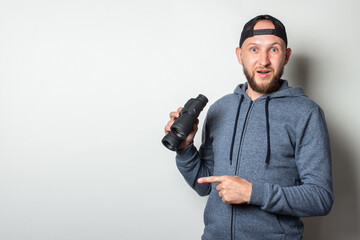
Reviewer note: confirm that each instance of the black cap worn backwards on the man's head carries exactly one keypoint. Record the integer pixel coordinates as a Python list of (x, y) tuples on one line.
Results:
[(248, 30)]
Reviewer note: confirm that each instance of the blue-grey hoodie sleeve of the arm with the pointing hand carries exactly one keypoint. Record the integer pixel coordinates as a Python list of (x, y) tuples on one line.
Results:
[(314, 195)]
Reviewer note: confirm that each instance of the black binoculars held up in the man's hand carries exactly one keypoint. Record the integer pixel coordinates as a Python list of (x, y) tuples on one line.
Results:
[(184, 124)]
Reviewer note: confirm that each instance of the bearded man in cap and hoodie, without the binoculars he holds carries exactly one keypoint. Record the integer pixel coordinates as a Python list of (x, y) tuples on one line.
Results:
[(265, 156)]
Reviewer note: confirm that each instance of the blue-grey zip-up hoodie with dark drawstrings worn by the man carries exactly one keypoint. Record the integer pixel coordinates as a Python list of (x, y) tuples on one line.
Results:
[(279, 143)]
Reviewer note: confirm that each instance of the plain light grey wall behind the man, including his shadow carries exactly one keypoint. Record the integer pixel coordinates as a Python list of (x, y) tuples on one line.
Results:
[(86, 88)]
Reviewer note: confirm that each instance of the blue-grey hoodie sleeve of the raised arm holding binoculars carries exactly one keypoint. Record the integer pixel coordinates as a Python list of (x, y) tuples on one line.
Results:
[(194, 164)]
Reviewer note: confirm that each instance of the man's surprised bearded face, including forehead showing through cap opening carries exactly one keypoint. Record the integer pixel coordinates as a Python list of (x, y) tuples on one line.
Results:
[(263, 58)]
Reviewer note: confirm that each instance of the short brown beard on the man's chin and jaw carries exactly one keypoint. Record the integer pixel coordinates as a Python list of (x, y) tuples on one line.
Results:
[(272, 86)]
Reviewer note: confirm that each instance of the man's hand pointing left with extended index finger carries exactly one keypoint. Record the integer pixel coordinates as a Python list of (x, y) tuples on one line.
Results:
[(232, 189)]
